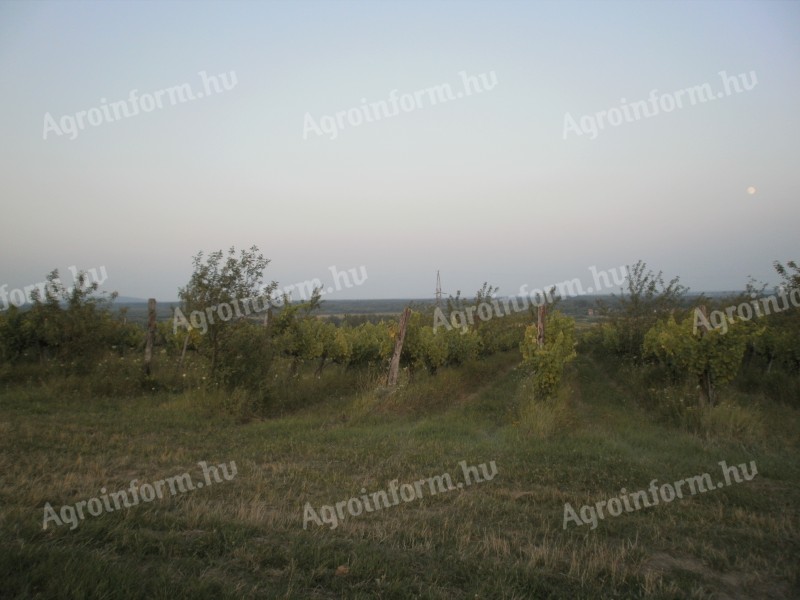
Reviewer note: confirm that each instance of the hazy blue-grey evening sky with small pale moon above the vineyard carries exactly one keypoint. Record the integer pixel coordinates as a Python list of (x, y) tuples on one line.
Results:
[(542, 171)]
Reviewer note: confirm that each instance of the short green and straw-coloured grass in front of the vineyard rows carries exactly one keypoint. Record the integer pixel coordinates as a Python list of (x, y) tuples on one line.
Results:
[(503, 538)]
